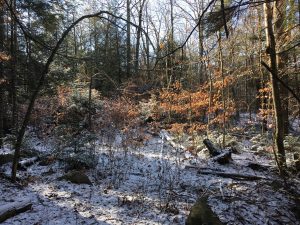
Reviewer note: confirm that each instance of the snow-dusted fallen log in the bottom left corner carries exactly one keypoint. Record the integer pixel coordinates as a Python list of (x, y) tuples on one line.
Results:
[(14, 208)]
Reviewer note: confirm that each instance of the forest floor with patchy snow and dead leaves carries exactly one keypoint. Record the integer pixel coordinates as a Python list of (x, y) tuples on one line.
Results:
[(157, 182)]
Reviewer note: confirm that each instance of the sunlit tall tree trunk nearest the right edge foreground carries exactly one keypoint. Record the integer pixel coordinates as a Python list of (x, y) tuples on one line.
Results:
[(271, 51)]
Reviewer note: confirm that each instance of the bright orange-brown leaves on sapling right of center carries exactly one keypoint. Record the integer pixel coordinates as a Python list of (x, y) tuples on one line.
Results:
[(186, 109)]
